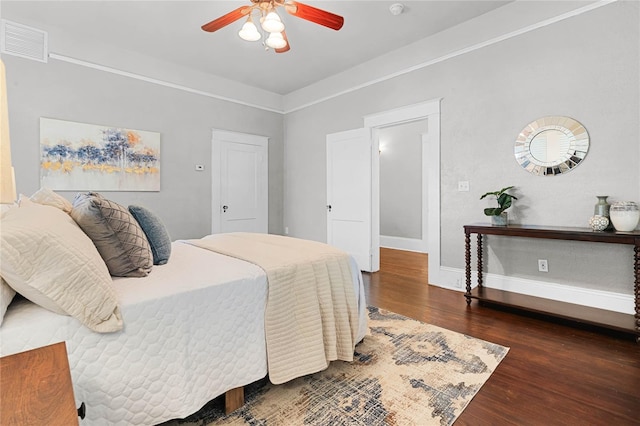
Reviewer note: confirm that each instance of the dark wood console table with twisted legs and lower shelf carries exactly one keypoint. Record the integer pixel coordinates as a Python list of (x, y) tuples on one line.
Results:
[(612, 320)]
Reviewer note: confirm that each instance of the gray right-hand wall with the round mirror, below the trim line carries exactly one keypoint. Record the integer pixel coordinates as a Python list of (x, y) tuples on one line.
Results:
[(585, 67)]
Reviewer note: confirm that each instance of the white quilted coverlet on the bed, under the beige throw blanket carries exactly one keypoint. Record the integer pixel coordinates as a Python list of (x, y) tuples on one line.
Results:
[(192, 329)]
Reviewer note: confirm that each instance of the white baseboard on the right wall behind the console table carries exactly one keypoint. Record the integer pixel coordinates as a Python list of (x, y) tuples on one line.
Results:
[(455, 279)]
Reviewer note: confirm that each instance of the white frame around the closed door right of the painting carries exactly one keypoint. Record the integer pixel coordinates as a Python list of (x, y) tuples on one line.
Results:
[(217, 137)]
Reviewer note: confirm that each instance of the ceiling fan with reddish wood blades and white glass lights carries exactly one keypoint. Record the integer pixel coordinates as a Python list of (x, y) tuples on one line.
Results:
[(271, 23)]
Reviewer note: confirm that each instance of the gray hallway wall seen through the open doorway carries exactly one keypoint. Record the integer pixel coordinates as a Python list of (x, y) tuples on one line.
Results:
[(401, 180)]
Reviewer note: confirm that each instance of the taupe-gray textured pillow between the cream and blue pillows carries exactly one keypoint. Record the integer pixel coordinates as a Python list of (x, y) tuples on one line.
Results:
[(116, 234)]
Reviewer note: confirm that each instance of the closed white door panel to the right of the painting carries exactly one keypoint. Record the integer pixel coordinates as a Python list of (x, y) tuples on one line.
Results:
[(240, 183)]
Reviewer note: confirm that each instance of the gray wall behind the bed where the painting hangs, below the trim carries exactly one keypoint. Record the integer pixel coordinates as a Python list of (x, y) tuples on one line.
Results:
[(71, 92)]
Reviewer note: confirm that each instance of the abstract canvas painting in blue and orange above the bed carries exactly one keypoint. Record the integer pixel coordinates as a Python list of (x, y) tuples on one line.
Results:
[(89, 157)]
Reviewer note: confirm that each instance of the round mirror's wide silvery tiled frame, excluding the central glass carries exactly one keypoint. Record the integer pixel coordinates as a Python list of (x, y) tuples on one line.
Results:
[(569, 160)]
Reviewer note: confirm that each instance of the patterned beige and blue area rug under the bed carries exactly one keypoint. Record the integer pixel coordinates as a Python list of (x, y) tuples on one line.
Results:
[(405, 372)]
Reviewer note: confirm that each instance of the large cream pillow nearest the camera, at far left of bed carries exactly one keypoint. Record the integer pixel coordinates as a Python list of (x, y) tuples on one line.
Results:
[(49, 260)]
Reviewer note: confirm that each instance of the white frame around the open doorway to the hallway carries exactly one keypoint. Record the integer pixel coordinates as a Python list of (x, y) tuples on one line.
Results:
[(429, 110)]
